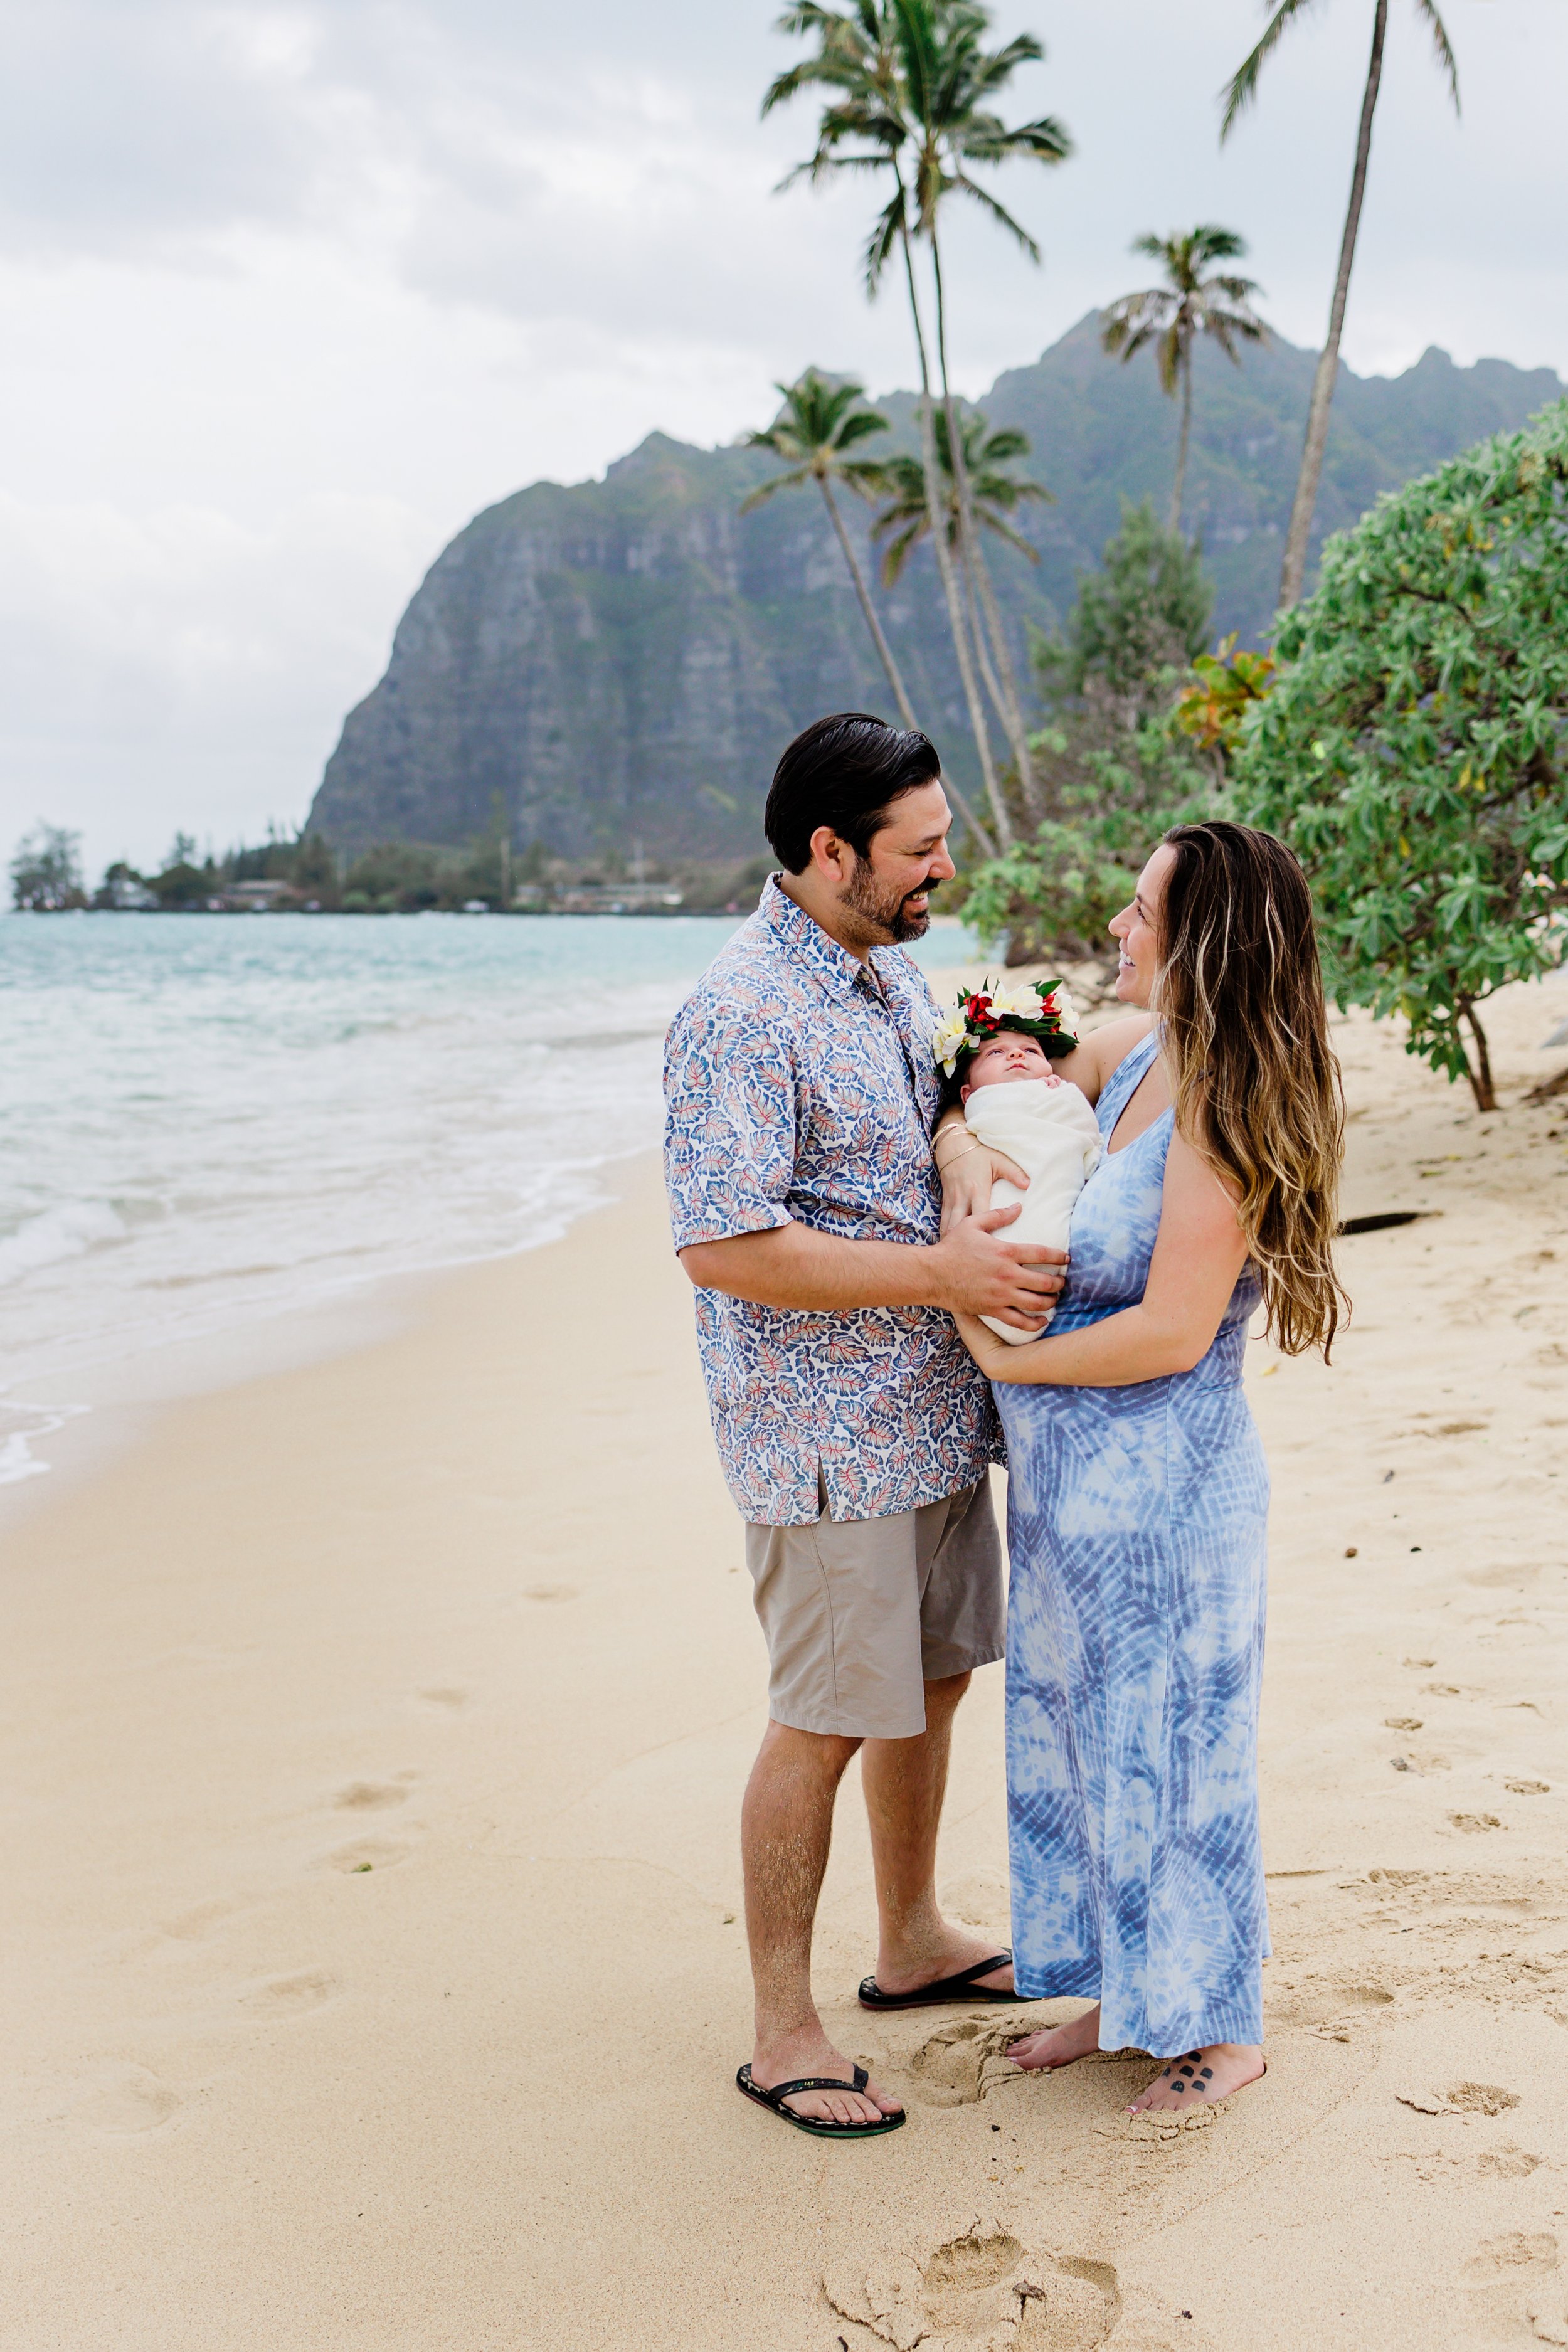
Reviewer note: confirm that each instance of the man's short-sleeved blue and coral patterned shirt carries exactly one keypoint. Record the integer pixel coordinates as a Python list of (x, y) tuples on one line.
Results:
[(803, 1093)]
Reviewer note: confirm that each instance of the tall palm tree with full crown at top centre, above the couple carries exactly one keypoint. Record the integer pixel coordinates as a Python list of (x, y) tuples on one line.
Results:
[(909, 79)]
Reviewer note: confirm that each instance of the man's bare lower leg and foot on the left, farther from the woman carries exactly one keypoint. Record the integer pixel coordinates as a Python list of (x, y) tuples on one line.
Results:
[(786, 1831)]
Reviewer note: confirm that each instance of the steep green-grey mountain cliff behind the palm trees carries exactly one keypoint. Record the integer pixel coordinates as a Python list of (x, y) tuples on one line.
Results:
[(619, 662)]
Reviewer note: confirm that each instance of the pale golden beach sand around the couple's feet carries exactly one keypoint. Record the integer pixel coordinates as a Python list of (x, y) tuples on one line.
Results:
[(467, 1608)]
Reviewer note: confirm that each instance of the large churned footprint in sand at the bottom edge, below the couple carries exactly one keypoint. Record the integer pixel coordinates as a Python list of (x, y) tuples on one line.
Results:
[(979, 2290)]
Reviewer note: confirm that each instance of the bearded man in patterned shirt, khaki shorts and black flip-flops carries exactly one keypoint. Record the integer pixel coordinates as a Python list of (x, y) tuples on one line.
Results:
[(855, 1431)]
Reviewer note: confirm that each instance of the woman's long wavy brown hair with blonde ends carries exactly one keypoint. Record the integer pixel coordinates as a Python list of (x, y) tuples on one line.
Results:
[(1254, 1078)]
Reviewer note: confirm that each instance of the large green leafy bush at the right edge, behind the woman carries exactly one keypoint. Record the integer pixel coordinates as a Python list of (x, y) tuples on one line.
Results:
[(1414, 744)]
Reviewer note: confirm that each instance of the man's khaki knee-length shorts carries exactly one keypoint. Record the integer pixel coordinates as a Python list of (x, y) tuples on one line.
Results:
[(859, 1615)]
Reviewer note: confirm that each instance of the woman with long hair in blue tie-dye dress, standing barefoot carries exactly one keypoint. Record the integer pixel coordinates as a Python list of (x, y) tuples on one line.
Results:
[(1137, 1485)]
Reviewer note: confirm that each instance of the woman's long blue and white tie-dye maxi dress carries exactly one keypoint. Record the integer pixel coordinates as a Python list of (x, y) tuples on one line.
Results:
[(1137, 1537)]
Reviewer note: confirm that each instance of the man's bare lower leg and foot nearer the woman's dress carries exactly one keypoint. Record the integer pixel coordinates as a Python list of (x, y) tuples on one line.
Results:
[(904, 1798)]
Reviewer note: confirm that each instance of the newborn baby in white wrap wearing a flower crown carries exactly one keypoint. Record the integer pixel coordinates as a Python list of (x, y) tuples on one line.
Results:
[(1019, 1107)]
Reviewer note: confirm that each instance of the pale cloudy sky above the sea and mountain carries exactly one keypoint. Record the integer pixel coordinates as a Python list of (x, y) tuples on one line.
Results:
[(293, 290)]
